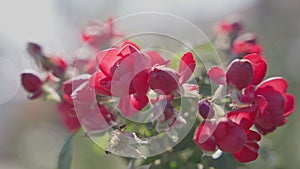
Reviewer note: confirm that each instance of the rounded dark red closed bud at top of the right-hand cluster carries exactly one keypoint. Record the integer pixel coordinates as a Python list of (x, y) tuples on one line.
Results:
[(239, 74)]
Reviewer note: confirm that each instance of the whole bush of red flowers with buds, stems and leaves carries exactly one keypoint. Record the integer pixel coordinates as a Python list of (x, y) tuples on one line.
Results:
[(110, 91)]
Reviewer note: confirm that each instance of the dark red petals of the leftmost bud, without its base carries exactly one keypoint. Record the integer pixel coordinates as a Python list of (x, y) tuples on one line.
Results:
[(31, 82)]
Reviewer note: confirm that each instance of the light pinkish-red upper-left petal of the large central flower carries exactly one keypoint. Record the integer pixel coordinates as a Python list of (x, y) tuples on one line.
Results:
[(107, 59)]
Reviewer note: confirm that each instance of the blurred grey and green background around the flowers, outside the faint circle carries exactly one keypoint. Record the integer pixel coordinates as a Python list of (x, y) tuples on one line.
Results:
[(31, 133)]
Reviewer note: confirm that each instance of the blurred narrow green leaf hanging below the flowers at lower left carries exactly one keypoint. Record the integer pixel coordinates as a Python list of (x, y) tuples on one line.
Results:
[(65, 156)]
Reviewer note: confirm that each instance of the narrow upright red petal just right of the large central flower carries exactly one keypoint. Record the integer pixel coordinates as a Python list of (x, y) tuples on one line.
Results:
[(186, 67)]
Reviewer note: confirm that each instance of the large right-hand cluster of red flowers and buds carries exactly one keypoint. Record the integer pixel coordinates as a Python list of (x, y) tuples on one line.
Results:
[(253, 102)]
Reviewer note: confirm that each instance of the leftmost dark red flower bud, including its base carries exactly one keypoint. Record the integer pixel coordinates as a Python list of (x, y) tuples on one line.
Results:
[(32, 84)]
